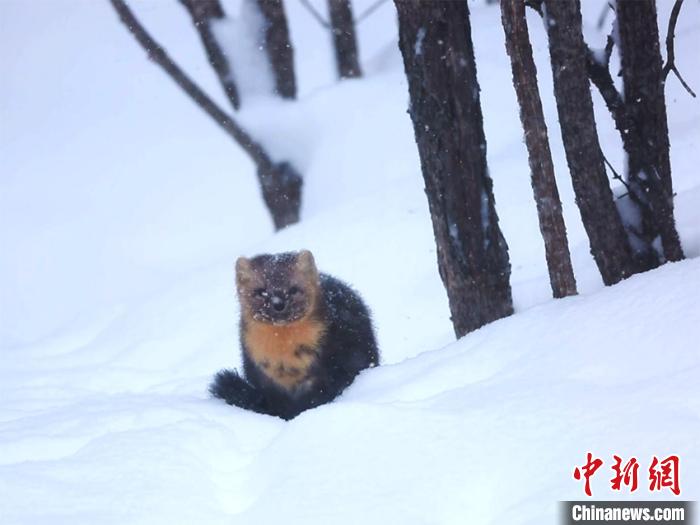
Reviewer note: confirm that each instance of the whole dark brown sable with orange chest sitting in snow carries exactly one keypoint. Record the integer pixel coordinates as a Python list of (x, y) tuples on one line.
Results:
[(304, 336)]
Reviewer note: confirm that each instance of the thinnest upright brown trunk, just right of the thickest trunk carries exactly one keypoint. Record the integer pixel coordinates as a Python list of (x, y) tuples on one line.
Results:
[(544, 185)]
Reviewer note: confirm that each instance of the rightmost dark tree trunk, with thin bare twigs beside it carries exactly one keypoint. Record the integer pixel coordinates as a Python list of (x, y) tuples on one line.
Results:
[(649, 167)]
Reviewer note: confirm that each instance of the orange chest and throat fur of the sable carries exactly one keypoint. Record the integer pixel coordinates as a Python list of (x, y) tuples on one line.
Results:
[(285, 352)]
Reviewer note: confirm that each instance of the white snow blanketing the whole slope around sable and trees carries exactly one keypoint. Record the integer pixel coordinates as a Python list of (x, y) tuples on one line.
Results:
[(122, 209)]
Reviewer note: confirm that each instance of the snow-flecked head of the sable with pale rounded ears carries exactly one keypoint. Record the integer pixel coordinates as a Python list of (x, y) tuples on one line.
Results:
[(277, 288)]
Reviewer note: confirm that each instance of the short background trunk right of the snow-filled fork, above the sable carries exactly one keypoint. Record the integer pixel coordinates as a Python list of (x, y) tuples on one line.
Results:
[(279, 47)]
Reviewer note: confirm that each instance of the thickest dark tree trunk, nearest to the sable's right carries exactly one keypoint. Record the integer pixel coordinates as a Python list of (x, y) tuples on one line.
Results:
[(435, 41)]
